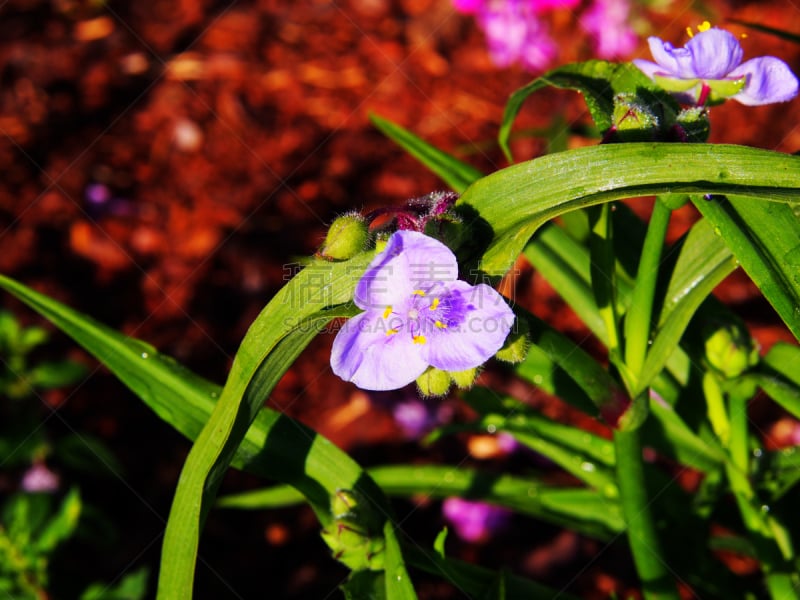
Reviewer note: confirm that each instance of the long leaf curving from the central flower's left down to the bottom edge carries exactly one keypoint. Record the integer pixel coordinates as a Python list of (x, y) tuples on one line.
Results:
[(273, 341)]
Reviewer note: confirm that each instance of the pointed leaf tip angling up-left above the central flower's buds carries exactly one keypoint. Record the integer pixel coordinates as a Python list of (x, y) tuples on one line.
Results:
[(455, 173)]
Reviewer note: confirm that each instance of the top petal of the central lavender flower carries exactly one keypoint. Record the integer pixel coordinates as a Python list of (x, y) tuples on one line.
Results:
[(409, 260)]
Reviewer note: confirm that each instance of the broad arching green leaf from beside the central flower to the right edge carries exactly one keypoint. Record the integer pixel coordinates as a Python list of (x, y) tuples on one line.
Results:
[(514, 202)]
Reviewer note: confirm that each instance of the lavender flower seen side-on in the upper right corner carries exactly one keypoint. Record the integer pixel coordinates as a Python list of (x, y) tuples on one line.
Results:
[(710, 67)]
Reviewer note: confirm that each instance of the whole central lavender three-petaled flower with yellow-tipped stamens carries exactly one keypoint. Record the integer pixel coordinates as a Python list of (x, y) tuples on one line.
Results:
[(417, 314)]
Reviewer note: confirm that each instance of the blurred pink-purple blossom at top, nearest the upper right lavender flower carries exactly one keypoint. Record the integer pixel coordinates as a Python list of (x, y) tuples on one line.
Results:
[(607, 22)]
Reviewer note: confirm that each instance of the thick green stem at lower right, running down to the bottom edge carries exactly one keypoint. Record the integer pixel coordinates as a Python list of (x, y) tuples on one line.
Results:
[(657, 582)]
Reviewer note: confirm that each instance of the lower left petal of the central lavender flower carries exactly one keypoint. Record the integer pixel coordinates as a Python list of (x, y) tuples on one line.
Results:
[(364, 354)]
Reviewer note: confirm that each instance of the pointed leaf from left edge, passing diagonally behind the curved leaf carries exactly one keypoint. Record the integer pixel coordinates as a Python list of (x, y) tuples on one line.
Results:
[(275, 446)]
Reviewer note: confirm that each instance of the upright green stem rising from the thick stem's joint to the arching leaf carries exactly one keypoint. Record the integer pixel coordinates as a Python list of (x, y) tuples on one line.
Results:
[(639, 316)]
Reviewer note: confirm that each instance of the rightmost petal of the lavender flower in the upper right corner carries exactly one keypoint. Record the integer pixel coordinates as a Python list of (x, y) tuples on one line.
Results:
[(769, 79)]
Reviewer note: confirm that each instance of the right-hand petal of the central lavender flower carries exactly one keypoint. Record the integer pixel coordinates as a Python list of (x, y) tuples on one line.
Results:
[(486, 323)]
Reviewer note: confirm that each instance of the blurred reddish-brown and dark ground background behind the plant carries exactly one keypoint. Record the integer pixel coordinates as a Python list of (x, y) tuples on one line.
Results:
[(166, 163)]
